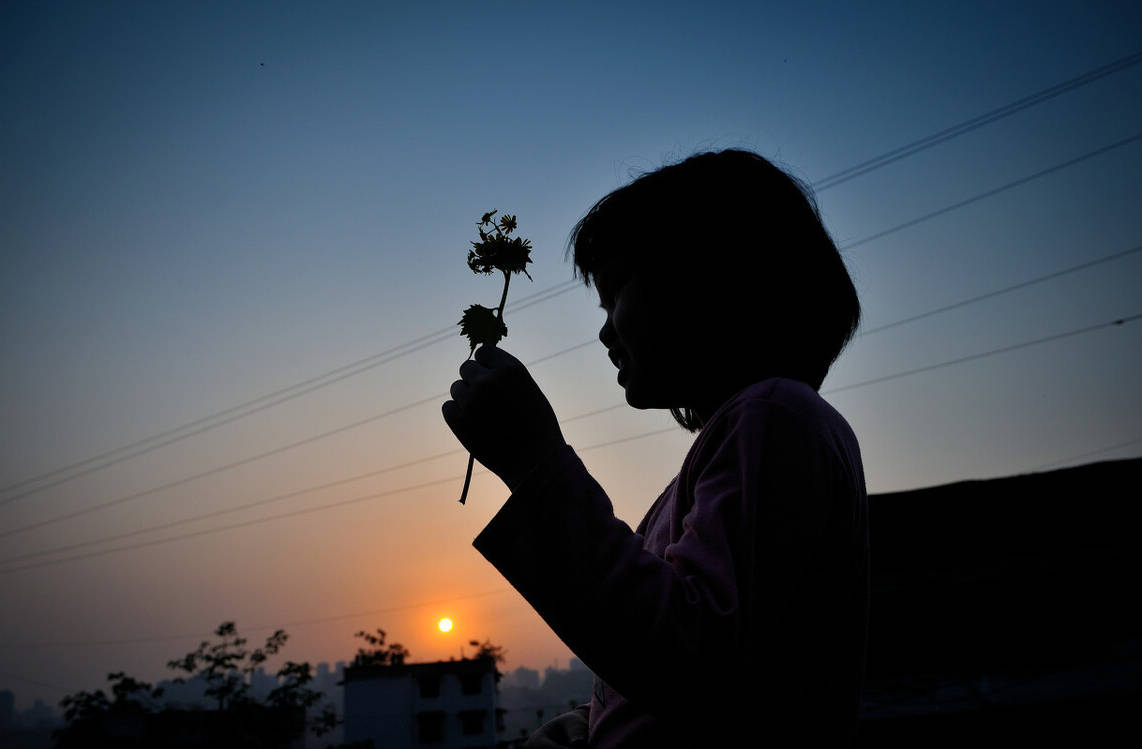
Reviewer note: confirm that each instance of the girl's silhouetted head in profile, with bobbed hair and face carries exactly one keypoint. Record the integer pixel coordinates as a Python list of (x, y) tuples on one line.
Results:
[(738, 281)]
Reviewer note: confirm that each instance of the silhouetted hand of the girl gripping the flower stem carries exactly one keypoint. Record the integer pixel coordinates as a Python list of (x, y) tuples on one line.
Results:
[(501, 415)]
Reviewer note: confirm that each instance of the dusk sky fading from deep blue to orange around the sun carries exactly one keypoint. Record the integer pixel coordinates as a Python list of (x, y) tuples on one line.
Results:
[(206, 204)]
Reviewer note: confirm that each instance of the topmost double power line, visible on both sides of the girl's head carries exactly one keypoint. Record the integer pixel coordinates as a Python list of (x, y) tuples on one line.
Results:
[(242, 410)]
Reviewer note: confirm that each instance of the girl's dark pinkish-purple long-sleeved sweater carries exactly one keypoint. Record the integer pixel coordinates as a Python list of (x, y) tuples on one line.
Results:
[(741, 603)]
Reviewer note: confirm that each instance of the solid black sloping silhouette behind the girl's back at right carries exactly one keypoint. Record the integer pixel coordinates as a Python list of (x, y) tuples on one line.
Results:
[(1004, 610)]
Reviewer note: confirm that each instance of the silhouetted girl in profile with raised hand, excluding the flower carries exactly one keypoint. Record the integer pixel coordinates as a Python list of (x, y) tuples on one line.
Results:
[(736, 615)]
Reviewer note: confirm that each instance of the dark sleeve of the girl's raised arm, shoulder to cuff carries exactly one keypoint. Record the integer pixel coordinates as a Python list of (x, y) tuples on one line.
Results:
[(662, 630)]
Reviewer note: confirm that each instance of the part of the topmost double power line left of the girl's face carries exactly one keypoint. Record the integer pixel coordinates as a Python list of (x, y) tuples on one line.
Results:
[(243, 410)]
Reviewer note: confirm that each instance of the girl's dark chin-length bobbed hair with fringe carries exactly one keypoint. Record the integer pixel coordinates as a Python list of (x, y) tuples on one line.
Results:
[(731, 225)]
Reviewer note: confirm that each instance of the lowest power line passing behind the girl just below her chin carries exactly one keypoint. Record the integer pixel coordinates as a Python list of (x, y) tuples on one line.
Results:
[(961, 360)]
